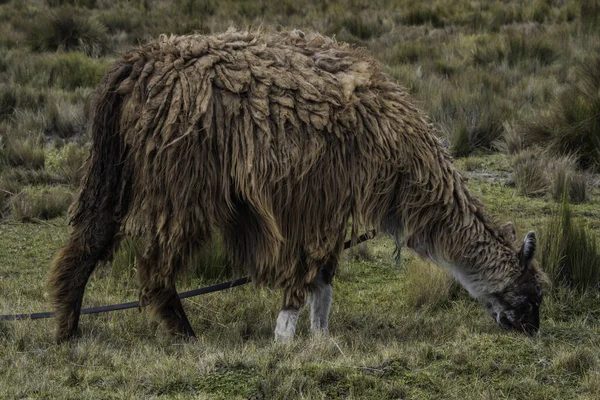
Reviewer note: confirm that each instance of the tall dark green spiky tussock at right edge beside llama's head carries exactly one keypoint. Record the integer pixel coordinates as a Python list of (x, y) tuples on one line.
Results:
[(570, 253)]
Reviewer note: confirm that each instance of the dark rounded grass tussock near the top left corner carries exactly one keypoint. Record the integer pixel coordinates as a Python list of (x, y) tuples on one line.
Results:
[(67, 29)]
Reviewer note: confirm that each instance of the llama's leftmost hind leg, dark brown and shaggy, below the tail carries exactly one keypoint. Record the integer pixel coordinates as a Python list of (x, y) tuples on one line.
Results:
[(71, 270)]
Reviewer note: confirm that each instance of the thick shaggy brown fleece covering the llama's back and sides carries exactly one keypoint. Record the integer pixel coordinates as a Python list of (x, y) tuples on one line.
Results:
[(277, 140)]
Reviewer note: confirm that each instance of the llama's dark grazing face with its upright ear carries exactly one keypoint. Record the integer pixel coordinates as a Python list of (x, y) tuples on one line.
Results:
[(517, 306)]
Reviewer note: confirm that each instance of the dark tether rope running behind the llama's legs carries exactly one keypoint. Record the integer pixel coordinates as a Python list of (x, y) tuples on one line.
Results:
[(196, 292)]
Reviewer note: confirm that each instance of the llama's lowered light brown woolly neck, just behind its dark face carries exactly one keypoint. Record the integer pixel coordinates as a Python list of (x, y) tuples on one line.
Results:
[(455, 232)]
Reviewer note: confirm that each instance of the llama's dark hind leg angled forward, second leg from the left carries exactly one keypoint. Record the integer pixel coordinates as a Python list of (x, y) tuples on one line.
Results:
[(161, 296)]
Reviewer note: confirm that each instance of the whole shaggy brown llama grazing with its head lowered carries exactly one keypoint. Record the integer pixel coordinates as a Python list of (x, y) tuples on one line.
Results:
[(277, 141)]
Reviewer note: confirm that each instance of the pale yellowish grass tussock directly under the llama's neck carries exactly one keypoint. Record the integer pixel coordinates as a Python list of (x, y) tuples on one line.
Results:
[(426, 285)]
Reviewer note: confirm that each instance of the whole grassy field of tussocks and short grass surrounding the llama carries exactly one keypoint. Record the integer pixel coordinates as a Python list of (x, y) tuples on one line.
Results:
[(513, 89)]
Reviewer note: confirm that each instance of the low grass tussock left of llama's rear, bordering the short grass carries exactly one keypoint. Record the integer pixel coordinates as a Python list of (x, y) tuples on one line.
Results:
[(34, 204)]
